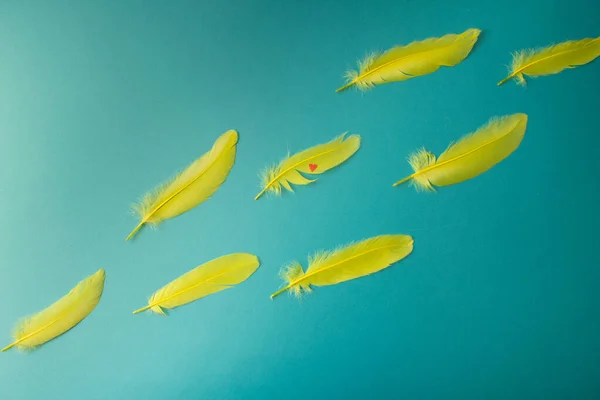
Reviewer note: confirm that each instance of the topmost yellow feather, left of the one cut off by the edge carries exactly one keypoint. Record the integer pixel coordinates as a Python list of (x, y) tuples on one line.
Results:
[(416, 59)]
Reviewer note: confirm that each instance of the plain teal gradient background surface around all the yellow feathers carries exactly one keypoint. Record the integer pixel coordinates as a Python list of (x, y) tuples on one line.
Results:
[(102, 100)]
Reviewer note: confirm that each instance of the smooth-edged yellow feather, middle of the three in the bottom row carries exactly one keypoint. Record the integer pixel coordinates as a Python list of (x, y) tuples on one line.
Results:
[(216, 275)]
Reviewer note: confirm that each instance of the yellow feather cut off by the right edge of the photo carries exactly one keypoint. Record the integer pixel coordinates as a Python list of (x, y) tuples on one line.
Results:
[(552, 59)]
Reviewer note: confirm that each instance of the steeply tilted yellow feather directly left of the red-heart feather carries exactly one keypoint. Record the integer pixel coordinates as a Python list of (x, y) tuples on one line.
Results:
[(191, 187)]
